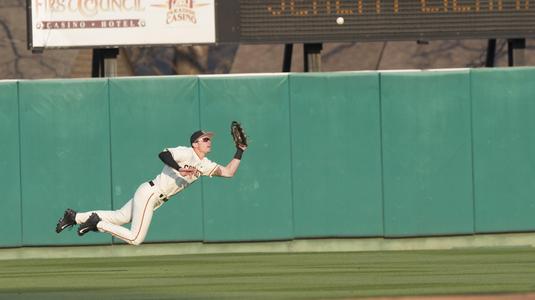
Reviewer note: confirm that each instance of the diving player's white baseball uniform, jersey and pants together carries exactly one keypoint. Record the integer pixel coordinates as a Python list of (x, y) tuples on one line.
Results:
[(150, 196)]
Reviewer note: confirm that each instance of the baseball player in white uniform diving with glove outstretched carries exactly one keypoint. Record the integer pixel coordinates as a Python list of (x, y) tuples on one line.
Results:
[(182, 167)]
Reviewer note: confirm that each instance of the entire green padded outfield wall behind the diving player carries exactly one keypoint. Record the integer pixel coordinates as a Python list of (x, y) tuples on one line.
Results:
[(349, 154)]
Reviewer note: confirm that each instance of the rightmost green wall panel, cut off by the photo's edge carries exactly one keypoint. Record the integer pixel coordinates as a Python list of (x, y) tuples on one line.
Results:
[(504, 149)]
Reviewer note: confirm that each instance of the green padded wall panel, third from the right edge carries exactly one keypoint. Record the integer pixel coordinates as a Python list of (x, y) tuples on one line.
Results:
[(336, 155)]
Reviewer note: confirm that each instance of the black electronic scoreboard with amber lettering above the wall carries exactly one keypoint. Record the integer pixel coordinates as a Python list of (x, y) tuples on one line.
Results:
[(315, 21)]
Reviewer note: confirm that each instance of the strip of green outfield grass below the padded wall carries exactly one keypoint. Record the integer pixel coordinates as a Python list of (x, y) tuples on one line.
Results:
[(273, 276)]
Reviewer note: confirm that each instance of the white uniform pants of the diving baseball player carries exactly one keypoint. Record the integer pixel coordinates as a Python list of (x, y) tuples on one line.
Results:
[(138, 211)]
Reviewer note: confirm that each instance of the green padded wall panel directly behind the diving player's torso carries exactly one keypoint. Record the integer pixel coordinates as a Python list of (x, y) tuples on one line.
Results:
[(148, 115)]
